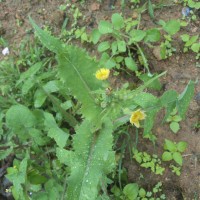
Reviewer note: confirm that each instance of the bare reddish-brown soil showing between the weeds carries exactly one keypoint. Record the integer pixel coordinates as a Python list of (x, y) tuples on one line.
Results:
[(180, 69)]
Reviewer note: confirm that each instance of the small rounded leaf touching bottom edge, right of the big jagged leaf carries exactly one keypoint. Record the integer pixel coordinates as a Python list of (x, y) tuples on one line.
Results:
[(131, 191)]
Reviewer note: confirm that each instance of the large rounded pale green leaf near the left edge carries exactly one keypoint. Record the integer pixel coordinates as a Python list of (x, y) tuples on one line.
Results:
[(19, 117)]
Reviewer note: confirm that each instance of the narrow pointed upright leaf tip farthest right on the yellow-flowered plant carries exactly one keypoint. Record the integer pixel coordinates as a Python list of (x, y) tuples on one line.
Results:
[(184, 99)]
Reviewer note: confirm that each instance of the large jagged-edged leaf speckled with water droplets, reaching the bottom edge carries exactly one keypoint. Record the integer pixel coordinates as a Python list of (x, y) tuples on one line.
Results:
[(90, 161)]
